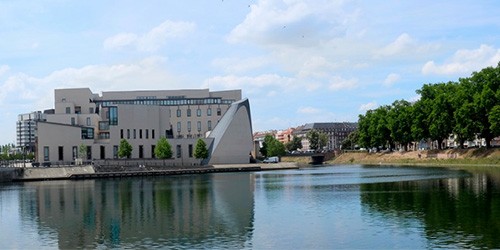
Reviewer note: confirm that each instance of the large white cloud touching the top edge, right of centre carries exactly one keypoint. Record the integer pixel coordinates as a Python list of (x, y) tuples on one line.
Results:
[(291, 22)]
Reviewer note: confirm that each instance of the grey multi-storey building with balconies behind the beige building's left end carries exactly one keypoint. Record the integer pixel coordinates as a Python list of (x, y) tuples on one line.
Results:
[(26, 130)]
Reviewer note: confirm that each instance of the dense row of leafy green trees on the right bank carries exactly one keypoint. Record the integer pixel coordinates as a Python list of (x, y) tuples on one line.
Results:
[(468, 108)]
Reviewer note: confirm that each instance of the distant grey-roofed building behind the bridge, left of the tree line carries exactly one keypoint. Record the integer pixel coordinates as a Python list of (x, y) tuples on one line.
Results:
[(336, 131)]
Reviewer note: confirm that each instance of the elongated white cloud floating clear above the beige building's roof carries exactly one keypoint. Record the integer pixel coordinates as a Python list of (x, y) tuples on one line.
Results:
[(152, 40)]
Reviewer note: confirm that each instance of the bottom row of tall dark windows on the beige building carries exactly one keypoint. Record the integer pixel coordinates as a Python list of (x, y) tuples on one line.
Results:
[(102, 152)]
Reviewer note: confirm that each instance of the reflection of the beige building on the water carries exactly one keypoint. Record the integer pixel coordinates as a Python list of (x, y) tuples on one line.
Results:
[(194, 211)]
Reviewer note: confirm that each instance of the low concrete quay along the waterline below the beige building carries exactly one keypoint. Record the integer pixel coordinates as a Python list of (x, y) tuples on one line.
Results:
[(88, 172)]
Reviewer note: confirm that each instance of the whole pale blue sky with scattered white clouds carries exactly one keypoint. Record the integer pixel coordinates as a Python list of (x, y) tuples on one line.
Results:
[(297, 61)]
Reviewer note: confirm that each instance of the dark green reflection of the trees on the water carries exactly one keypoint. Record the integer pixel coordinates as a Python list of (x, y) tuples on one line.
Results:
[(460, 212)]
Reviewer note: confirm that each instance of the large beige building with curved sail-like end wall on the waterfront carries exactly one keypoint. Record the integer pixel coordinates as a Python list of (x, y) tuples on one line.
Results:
[(99, 122)]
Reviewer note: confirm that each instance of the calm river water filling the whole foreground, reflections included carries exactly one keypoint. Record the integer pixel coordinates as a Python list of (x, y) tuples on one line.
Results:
[(327, 207)]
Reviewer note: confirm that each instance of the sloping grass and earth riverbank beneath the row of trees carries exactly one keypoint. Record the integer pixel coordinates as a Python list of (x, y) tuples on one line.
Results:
[(462, 157)]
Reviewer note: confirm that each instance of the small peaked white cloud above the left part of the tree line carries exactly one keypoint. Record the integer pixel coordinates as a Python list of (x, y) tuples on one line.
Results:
[(405, 45)]
